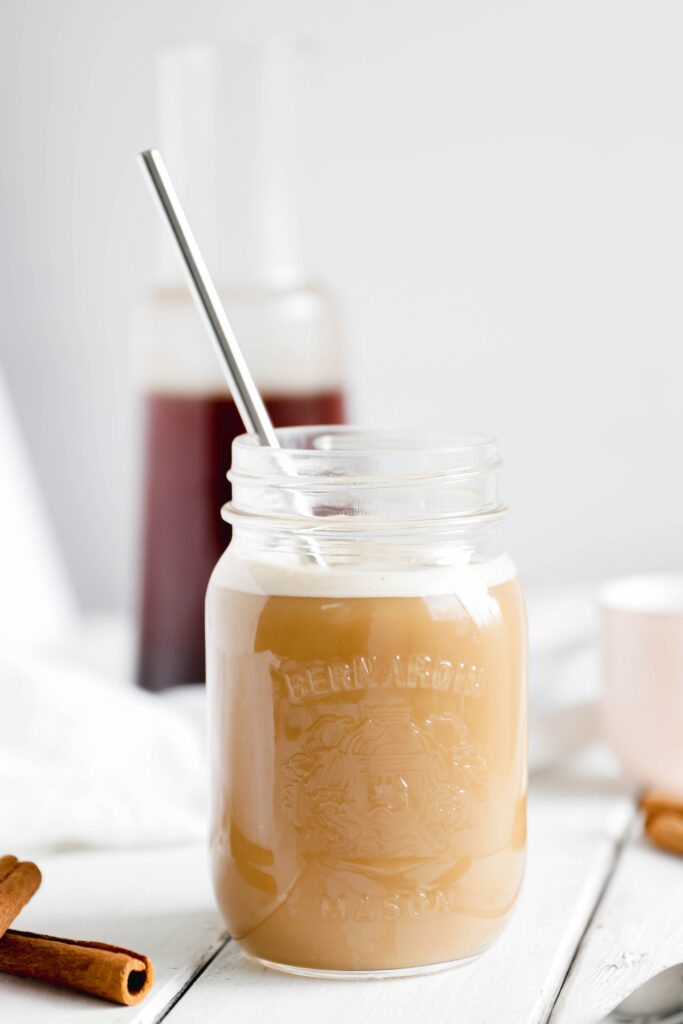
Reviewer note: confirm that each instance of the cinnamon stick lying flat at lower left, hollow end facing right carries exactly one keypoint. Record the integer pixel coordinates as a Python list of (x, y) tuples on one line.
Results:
[(109, 972)]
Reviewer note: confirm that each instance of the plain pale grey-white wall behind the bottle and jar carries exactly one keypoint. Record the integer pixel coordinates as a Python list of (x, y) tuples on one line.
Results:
[(500, 205)]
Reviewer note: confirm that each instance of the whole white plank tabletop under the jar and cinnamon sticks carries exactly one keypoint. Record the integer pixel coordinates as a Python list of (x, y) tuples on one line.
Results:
[(601, 912)]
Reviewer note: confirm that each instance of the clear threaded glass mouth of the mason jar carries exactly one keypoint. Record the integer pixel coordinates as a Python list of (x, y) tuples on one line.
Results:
[(343, 472)]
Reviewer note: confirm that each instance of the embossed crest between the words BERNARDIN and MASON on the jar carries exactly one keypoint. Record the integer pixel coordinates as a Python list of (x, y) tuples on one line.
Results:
[(375, 778)]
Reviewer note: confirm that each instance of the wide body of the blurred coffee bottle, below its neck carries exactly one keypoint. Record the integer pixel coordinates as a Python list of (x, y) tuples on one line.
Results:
[(291, 339)]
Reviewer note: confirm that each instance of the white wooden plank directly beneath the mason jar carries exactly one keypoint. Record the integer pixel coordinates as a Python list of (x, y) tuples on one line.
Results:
[(573, 840)]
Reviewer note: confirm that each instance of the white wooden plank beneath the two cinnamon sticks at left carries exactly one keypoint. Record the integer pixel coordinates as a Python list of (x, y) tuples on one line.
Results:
[(156, 903)]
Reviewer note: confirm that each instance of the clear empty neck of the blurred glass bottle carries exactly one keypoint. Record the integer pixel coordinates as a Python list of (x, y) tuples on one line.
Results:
[(231, 120)]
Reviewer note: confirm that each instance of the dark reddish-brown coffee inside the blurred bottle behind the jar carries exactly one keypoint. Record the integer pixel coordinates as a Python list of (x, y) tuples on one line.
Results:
[(189, 443)]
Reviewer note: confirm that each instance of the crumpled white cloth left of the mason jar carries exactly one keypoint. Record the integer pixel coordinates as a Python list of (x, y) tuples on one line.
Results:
[(84, 762)]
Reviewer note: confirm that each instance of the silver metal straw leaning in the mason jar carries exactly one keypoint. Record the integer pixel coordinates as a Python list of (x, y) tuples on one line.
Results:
[(242, 386)]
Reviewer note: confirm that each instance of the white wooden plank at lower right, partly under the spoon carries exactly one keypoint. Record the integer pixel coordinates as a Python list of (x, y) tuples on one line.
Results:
[(637, 931)]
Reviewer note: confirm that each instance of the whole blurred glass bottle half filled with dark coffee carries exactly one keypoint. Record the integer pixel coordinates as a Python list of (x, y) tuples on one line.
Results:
[(229, 133)]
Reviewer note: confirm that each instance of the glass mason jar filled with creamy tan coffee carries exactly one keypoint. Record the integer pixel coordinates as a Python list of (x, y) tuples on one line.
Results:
[(367, 672)]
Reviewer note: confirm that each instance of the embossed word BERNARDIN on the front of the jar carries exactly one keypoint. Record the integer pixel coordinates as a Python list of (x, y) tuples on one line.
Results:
[(316, 679)]
